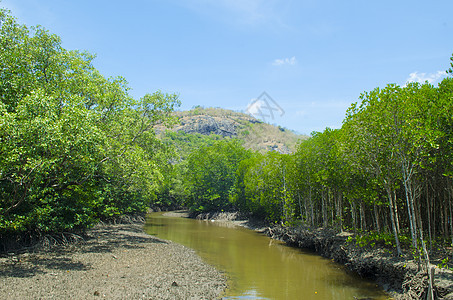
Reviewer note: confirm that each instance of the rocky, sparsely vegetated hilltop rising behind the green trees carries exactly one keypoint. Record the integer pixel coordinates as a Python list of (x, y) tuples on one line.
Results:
[(224, 123)]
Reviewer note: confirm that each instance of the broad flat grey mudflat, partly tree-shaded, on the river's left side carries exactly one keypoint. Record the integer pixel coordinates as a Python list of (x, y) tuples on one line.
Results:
[(113, 262)]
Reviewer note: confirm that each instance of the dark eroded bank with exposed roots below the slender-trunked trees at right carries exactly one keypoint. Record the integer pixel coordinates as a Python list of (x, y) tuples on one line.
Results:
[(398, 276)]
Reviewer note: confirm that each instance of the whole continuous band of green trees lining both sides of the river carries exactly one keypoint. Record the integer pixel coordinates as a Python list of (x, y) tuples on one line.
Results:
[(76, 148)]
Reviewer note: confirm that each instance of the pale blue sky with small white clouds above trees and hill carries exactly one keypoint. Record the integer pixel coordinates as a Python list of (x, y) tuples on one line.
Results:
[(313, 58)]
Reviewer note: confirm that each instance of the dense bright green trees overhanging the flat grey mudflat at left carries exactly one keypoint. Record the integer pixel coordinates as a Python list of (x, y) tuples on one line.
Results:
[(74, 146)]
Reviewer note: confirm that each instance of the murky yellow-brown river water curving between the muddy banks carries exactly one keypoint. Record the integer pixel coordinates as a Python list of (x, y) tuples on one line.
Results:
[(261, 268)]
